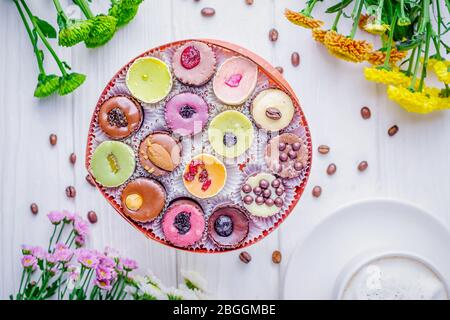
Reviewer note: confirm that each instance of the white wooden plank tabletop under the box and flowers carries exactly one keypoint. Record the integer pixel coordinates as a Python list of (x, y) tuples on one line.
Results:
[(414, 165)]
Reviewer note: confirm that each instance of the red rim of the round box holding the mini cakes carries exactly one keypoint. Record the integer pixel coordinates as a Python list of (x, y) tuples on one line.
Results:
[(275, 80)]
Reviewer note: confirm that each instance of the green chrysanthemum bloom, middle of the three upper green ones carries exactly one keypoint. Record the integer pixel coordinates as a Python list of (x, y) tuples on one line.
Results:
[(103, 29)]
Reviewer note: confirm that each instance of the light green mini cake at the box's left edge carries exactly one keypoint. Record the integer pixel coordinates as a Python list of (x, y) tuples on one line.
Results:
[(112, 163)]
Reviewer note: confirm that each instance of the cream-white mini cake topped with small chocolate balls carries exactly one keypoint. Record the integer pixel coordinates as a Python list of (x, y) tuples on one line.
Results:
[(263, 194)]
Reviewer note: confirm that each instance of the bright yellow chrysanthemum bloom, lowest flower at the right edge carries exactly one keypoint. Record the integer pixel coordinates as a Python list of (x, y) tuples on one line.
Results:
[(418, 102)]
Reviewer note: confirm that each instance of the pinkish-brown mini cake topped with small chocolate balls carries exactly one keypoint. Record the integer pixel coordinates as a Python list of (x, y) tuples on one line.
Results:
[(286, 155)]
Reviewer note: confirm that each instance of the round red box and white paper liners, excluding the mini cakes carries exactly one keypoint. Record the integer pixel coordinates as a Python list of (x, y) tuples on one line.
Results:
[(237, 169)]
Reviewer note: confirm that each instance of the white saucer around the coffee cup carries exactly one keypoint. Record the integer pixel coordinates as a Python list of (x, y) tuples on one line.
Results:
[(360, 229)]
